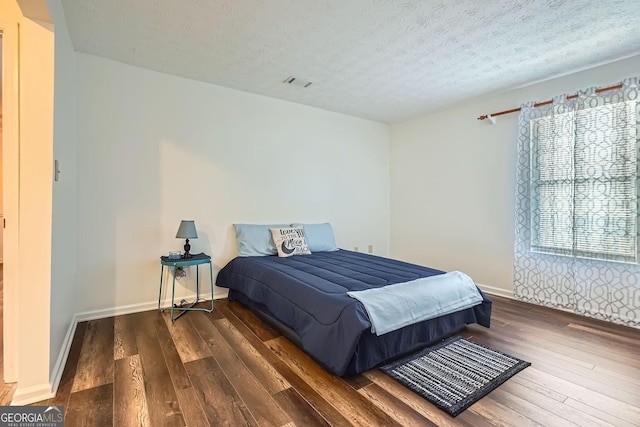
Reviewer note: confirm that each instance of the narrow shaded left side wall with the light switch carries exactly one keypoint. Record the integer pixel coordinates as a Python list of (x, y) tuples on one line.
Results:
[(63, 244)]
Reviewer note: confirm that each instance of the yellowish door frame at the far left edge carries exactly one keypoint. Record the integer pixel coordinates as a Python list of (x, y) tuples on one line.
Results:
[(10, 193)]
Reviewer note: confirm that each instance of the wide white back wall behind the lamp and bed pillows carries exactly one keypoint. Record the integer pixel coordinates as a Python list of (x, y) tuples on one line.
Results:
[(153, 149)]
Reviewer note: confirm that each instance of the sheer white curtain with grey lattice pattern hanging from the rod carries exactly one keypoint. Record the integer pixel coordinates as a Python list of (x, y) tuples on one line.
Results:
[(576, 239)]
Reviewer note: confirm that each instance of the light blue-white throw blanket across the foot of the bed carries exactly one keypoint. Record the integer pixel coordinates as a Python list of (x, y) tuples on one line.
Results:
[(395, 306)]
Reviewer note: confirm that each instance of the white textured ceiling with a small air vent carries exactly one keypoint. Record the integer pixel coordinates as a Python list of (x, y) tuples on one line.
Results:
[(383, 60)]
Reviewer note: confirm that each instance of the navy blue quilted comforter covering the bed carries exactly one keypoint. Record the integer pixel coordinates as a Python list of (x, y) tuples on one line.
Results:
[(305, 297)]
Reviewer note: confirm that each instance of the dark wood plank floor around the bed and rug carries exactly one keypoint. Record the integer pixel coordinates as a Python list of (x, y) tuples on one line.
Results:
[(229, 368)]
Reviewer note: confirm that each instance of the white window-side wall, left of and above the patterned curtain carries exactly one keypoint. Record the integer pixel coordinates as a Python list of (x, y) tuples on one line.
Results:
[(453, 178)]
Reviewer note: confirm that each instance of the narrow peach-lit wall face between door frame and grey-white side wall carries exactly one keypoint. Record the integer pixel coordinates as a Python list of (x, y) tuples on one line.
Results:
[(35, 209)]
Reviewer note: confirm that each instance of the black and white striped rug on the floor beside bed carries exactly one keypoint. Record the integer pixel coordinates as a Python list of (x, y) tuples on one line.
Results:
[(456, 373)]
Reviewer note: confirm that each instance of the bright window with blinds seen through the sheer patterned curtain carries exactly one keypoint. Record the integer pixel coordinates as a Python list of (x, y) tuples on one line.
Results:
[(584, 182)]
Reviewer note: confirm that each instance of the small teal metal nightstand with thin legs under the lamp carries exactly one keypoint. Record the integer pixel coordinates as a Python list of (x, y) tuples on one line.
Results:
[(196, 260)]
